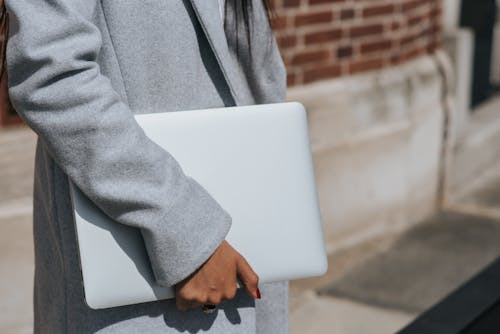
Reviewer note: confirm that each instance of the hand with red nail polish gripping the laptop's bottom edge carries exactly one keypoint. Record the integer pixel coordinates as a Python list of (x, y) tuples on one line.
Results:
[(216, 279)]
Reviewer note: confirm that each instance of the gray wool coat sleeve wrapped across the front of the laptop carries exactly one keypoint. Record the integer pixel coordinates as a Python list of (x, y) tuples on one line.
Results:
[(56, 86)]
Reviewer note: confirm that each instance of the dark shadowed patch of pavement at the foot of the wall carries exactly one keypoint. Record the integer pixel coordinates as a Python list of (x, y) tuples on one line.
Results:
[(424, 264)]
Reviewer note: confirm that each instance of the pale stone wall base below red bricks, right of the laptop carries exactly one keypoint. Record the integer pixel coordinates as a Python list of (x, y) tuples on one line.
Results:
[(376, 142)]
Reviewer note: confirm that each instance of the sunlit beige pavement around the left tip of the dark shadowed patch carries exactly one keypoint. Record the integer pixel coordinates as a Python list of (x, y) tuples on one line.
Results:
[(313, 313)]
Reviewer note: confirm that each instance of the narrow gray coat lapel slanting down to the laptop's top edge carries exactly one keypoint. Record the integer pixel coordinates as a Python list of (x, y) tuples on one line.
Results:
[(207, 12)]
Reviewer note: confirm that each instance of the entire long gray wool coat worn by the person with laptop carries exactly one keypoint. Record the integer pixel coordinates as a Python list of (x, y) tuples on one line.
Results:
[(78, 70)]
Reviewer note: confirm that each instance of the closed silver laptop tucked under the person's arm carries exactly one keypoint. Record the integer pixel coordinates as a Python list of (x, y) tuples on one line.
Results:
[(253, 154)]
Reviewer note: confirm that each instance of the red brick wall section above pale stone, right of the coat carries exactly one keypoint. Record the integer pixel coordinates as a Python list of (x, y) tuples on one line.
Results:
[(322, 39)]
